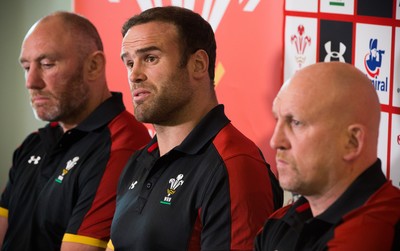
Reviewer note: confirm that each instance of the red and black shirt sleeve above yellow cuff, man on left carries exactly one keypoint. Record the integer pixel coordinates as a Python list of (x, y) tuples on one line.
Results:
[(127, 136)]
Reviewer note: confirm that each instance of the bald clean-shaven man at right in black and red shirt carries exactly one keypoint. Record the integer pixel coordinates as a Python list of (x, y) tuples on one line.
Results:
[(326, 136)]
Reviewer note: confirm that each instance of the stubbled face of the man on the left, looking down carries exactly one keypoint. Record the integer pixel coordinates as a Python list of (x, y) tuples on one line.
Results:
[(53, 73)]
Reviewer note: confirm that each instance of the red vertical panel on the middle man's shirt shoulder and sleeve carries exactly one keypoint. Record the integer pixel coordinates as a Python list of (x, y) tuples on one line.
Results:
[(249, 184)]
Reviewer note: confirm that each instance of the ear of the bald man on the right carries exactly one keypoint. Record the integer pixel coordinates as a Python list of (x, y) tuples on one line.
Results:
[(355, 141)]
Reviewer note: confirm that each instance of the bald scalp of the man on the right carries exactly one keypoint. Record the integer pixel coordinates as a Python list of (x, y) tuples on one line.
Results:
[(338, 92)]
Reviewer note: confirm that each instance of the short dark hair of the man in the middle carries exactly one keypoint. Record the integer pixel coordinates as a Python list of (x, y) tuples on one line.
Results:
[(194, 32)]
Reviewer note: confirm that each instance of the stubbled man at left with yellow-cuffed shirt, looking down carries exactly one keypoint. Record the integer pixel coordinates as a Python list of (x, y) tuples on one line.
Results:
[(62, 183)]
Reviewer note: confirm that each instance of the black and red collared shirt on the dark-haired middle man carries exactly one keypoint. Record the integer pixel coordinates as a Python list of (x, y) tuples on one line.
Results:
[(211, 192)]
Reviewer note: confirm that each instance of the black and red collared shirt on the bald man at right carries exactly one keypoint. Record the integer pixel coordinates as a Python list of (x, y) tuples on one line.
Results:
[(365, 217)]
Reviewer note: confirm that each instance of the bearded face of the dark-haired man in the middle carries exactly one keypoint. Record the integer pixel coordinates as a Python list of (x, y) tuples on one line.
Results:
[(160, 87)]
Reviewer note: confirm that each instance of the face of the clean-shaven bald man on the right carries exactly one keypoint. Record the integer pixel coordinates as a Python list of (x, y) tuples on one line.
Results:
[(306, 138)]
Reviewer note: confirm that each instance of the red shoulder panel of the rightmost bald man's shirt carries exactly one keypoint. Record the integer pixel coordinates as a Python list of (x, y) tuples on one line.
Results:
[(372, 226)]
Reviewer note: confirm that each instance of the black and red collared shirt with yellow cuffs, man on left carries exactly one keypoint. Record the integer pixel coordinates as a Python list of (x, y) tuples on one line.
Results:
[(63, 185)]
